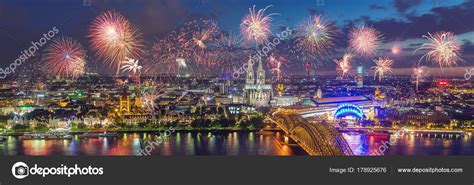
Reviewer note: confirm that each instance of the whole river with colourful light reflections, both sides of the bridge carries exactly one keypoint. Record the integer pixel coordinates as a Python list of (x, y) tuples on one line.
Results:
[(232, 144)]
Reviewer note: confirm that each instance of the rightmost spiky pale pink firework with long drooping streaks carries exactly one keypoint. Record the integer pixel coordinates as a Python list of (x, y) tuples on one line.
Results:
[(442, 49)]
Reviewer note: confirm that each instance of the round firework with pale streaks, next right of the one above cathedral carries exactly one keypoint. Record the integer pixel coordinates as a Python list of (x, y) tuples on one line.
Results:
[(316, 34)]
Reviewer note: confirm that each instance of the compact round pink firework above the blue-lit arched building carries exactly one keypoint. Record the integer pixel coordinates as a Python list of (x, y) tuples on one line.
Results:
[(365, 41)]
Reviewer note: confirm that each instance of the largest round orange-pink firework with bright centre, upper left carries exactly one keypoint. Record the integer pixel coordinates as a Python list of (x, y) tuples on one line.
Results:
[(114, 38)]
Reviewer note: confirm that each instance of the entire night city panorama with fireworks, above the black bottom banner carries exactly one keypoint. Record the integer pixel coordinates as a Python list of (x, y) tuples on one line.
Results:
[(258, 78)]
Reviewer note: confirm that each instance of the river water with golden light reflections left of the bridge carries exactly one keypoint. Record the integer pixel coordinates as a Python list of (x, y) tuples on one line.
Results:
[(181, 143)]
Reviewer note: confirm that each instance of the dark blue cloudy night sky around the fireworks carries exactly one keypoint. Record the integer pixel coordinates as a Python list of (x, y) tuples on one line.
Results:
[(400, 21)]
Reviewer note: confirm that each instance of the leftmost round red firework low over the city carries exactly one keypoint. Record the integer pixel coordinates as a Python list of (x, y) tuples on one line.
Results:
[(65, 57)]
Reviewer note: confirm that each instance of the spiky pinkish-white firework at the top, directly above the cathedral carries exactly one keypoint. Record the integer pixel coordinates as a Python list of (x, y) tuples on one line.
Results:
[(256, 25)]
